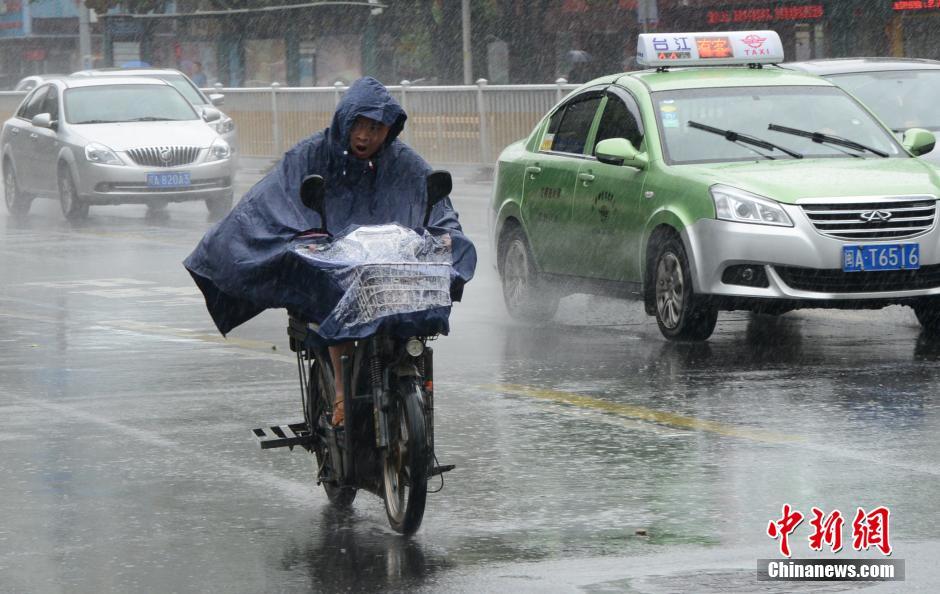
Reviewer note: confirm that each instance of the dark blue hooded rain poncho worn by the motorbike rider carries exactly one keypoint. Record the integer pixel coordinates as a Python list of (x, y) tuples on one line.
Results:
[(255, 259)]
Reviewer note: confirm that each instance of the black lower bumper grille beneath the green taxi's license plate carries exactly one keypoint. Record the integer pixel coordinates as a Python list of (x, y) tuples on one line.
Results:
[(837, 281)]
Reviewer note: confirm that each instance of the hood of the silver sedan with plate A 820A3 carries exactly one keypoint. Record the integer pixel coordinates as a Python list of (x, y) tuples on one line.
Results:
[(124, 136)]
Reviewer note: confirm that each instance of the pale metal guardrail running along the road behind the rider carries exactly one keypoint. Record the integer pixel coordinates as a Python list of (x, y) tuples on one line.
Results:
[(463, 124)]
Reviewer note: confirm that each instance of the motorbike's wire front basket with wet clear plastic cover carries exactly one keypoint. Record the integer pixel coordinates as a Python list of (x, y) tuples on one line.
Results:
[(384, 270)]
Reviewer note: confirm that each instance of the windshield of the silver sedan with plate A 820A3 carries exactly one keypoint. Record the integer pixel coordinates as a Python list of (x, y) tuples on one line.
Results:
[(126, 103)]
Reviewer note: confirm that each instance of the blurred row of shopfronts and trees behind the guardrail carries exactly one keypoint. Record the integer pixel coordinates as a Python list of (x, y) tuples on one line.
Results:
[(257, 42)]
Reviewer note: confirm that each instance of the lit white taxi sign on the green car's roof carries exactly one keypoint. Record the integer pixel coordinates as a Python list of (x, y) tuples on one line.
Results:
[(660, 50)]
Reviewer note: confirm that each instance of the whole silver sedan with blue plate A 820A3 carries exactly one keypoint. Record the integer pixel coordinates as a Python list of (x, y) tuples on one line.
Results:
[(91, 141)]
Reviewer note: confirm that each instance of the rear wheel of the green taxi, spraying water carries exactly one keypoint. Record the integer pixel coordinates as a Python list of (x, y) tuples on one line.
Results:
[(525, 296)]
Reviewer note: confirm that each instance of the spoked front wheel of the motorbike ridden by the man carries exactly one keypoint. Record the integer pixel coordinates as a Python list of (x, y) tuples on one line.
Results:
[(406, 464)]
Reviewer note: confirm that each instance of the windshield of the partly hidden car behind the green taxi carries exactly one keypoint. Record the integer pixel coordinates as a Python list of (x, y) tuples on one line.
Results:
[(901, 98)]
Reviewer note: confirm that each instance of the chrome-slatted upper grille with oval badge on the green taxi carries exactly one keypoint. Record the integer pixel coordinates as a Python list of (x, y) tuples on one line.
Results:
[(872, 218)]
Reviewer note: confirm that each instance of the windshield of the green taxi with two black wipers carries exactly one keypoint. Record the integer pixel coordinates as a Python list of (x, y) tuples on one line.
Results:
[(751, 111)]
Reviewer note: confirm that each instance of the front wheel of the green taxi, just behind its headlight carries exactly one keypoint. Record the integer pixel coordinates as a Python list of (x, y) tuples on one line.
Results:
[(680, 314)]
